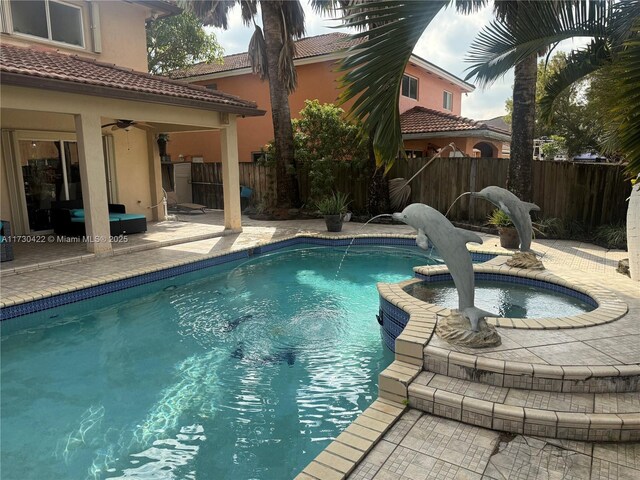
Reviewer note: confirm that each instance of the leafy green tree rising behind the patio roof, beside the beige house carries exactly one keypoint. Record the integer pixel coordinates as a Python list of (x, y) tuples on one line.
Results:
[(179, 41)]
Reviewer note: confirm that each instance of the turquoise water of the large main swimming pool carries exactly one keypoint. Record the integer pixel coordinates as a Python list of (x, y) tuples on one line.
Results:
[(246, 370)]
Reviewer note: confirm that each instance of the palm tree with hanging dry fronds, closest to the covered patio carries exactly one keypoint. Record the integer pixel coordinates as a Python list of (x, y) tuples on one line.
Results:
[(271, 56)]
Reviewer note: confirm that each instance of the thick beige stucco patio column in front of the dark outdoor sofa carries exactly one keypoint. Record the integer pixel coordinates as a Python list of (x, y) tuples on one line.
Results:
[(94, 182)]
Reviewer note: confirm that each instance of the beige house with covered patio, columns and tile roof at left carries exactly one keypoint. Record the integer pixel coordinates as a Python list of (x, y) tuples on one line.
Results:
[(80, 115)]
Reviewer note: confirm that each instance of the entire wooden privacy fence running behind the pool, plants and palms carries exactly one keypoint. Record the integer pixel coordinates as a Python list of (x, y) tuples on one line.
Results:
[(593, 194)]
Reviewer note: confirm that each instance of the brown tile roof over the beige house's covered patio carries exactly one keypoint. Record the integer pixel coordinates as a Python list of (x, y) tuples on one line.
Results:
[(47, 68)]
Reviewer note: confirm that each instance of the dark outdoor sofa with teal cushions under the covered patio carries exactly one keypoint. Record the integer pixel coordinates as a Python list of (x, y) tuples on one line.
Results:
[(67, 218)]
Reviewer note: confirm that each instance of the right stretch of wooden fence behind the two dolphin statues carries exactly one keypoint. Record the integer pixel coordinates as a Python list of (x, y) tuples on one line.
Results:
[(593, 194)]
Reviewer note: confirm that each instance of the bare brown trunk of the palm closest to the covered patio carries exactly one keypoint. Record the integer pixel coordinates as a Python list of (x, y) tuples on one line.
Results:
[(288, 194)]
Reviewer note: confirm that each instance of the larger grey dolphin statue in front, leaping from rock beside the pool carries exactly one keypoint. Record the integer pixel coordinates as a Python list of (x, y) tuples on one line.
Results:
[(451, 243)]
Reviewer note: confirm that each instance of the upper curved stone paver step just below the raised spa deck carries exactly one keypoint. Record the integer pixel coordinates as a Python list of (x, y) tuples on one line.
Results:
[(535, 376)]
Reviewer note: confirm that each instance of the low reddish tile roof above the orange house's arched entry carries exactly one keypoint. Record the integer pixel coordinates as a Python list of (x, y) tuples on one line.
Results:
[(426, 120)]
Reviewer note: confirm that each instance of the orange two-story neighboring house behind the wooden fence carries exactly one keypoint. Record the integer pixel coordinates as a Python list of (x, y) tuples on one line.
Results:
[(425, 86)]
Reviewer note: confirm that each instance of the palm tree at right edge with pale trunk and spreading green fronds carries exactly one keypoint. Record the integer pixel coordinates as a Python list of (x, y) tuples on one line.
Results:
[(614, 52)]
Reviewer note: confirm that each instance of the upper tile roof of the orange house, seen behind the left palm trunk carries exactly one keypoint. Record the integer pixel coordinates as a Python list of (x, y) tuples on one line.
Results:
[(305, 48)]
